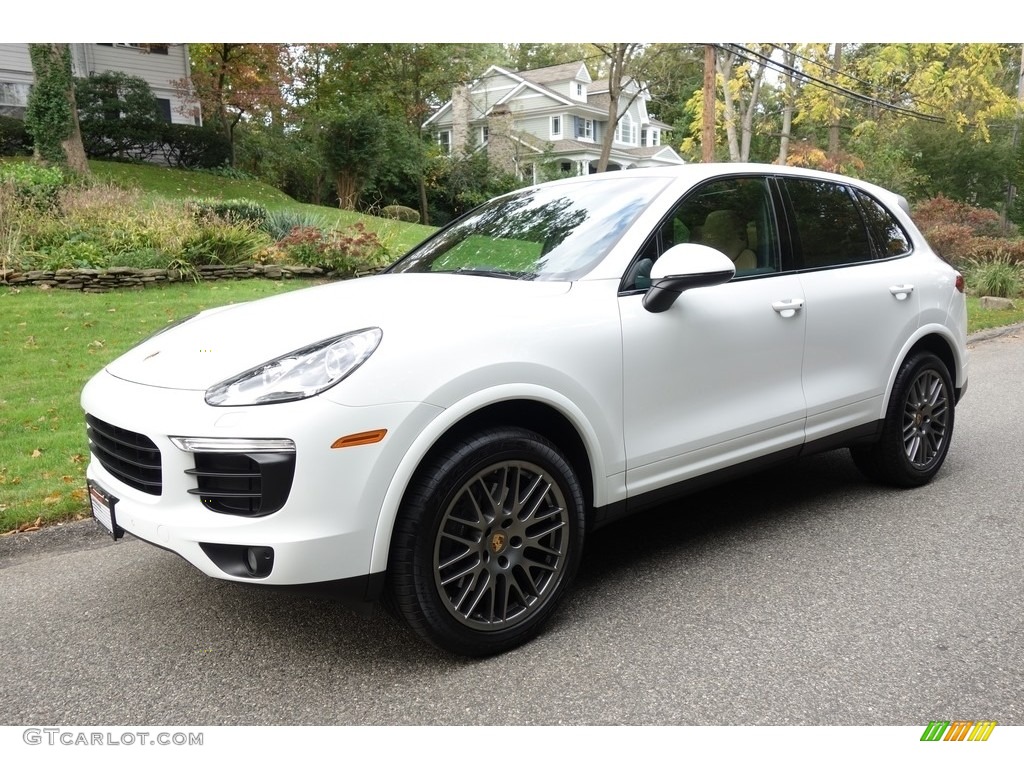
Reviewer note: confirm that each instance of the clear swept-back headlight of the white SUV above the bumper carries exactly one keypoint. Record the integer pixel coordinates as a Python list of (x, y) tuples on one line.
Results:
[(301, 374)]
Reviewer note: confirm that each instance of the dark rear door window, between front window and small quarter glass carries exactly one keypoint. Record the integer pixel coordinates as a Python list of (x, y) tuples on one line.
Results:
[(828, 225)]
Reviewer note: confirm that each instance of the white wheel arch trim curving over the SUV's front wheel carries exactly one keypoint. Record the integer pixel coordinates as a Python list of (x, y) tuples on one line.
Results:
[(560, 422)]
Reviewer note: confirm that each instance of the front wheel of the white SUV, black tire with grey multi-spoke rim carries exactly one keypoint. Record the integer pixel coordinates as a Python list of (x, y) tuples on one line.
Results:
[(489, 538)]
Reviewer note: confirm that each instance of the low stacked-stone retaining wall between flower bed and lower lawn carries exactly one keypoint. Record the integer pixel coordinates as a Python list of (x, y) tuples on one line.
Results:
[(100, 281)]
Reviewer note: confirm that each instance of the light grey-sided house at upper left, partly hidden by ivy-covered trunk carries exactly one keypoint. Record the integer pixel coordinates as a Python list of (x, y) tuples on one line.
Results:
[(160, 65)]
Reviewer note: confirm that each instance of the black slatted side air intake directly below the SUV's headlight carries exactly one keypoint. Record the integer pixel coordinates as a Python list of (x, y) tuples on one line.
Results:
[(250, 485)]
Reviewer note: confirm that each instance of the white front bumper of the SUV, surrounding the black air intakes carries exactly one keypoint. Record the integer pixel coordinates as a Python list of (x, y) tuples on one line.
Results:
[(325, 530)]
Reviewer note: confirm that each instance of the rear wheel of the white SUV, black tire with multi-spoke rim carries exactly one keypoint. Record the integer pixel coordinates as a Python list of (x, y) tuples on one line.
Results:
[(918, 428)]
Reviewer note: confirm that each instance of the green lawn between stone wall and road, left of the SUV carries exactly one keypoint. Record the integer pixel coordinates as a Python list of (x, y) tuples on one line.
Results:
[(52, 343)]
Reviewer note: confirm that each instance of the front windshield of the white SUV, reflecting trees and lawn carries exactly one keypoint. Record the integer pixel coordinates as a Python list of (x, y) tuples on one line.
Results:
[(545, 233)]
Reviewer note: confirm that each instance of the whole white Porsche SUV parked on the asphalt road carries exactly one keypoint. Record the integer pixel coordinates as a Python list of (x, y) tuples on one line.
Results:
[(445, 436)]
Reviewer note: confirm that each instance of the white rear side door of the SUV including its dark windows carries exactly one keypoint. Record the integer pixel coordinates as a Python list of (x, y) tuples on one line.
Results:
[(863, 301)]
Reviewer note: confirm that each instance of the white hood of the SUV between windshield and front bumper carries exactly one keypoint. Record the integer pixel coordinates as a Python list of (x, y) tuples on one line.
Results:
[(221, 344)]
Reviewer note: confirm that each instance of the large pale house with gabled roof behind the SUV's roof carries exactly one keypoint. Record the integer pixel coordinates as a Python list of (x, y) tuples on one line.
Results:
[(553, 115)]
